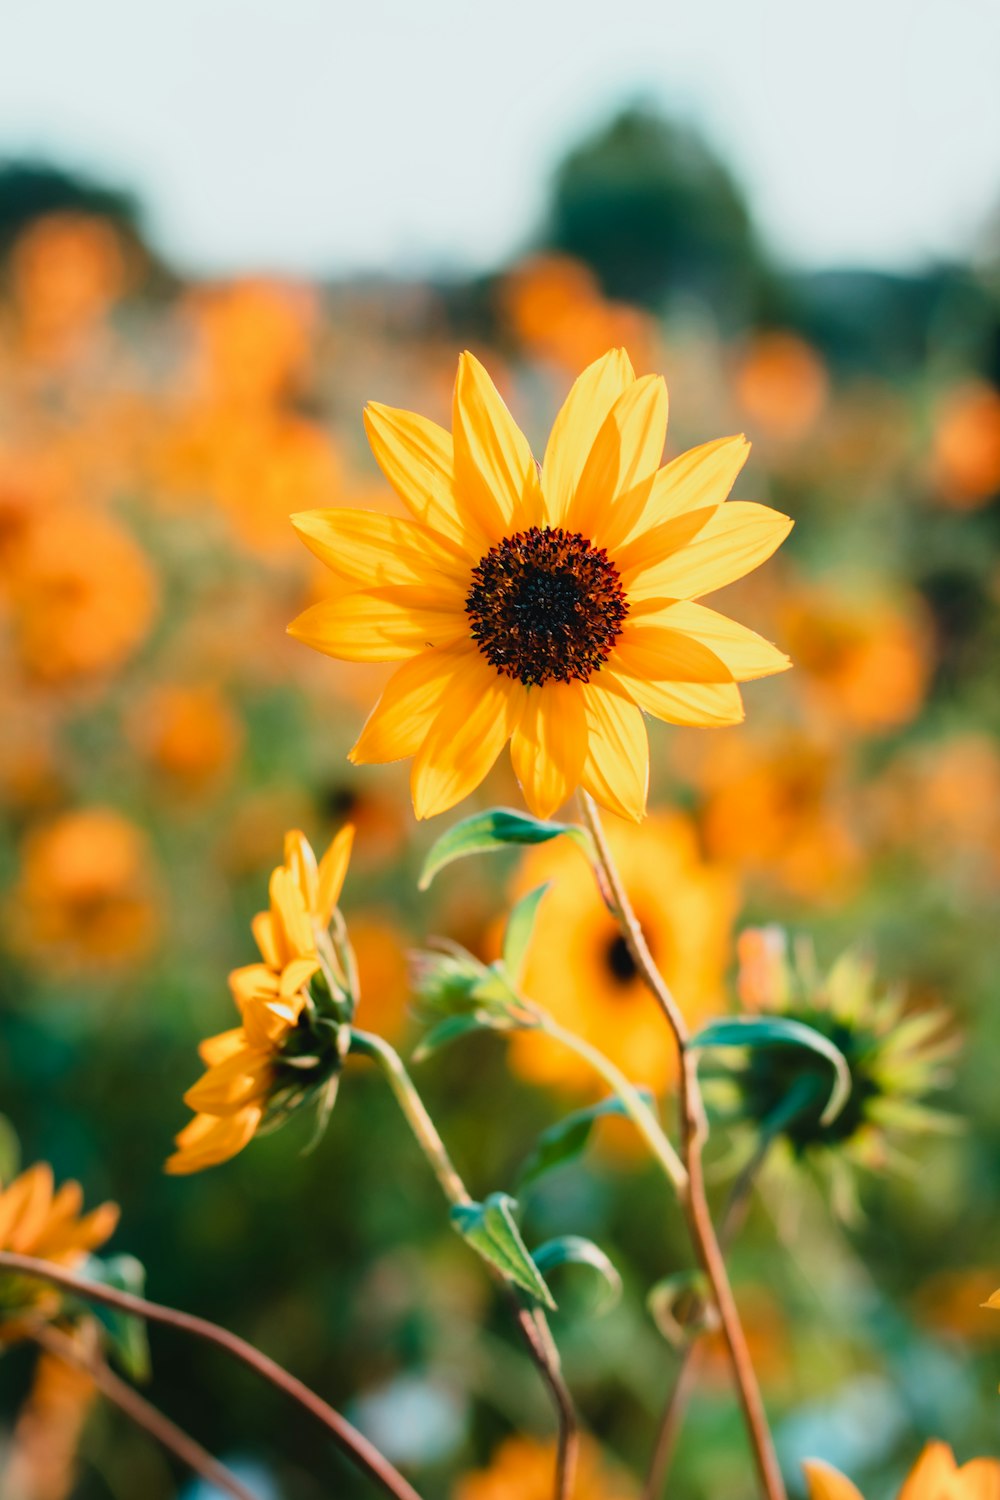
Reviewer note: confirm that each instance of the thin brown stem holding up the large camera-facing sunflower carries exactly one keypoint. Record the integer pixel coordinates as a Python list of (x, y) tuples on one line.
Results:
[(693, 1135)]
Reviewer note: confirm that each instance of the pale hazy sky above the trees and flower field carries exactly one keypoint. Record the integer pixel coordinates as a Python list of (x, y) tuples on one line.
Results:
[(316, 136)]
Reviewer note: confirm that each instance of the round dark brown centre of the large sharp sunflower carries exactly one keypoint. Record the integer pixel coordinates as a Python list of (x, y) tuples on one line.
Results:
[(546, 607)]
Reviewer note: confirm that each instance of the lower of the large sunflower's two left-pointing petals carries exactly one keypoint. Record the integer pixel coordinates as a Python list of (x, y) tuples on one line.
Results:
[(385, 625)]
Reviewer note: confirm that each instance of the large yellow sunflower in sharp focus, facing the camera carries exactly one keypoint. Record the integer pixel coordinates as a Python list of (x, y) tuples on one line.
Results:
[(548, 605)]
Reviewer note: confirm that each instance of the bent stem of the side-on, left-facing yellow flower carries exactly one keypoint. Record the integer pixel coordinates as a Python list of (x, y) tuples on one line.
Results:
[(533, 1324)]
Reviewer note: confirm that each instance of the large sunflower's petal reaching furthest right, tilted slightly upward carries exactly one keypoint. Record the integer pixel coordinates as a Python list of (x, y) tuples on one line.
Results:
[(737, 539)]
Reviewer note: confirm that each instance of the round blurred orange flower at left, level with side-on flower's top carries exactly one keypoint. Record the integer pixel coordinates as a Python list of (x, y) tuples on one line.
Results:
[(85, 896)]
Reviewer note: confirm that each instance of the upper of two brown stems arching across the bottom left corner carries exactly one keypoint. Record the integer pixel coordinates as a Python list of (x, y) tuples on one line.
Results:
[(347, 1438)]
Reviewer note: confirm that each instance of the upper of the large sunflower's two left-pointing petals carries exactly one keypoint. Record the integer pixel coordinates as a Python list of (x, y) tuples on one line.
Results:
[(377, 551)]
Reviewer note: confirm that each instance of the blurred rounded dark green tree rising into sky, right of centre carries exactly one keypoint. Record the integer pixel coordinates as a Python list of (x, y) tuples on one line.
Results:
[(653, 211)]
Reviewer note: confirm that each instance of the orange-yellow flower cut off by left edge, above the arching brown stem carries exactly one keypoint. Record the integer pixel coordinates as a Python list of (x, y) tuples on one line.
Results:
[(37, 1220)]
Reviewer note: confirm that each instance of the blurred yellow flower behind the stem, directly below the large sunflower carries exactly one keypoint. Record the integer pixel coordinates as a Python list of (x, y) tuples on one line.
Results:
[(579, 967)]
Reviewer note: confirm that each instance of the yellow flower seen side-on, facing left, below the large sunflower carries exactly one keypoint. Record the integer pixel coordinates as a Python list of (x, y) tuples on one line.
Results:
[(284, 1049)]
